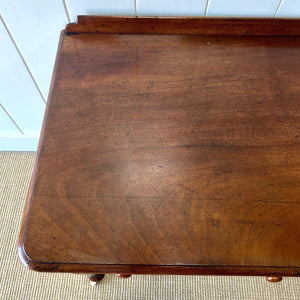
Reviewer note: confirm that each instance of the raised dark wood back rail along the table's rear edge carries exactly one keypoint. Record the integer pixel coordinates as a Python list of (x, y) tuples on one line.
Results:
[(191, 26)]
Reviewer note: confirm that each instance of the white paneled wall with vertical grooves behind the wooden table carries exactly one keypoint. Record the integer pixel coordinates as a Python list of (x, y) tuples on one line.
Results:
[(29, 33)]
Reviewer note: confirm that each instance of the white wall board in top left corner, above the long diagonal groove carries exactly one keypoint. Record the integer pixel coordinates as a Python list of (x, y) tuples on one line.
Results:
[(34, 26)]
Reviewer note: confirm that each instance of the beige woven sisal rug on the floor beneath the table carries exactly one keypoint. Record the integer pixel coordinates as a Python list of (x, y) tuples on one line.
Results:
[(17, 282)]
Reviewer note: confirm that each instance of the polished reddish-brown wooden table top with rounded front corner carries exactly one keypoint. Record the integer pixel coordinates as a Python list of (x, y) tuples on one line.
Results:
[(168, 153)]
